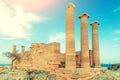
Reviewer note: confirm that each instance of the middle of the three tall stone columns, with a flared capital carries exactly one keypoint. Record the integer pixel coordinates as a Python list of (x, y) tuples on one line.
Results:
[(84, 41)]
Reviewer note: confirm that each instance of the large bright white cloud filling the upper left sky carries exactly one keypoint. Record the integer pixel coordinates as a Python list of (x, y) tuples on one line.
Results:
[(15, 22)]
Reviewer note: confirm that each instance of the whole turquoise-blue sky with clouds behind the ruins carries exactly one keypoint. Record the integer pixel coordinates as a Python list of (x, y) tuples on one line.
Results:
[(22, 24)]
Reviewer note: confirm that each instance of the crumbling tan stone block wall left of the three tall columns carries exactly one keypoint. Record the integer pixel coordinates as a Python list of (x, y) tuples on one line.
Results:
[(39, 56)]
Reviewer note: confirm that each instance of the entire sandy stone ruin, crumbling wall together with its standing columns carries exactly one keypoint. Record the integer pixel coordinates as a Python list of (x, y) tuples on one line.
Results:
[(48, 57)]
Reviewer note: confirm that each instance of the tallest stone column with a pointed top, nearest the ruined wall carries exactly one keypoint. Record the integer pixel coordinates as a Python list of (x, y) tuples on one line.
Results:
[(70, 41)]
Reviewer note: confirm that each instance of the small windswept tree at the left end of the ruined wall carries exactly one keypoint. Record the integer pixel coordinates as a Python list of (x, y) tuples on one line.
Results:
[(13, 56)]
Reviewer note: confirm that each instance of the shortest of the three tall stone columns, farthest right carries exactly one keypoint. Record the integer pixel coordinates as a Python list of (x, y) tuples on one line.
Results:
[(95, 44)]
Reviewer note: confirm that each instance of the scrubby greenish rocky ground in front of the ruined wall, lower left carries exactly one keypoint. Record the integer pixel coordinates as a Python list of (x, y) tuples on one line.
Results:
[(20, 74)]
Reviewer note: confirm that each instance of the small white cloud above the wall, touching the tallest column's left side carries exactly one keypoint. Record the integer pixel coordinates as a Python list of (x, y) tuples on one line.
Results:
[(58, 37)]
